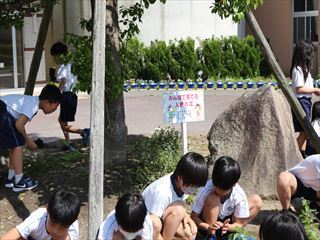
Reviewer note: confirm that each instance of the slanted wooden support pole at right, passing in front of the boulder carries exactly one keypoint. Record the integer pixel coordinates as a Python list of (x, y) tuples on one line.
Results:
[(282, 81)]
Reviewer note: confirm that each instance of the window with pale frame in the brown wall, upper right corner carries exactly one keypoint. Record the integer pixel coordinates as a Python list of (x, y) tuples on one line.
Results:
[(305, 20)]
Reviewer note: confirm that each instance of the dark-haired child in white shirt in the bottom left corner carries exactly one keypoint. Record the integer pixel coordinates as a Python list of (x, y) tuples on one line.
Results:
[(56, 222)]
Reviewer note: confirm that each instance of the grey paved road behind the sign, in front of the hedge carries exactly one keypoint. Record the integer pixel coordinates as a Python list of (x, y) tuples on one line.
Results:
[(143, 113)]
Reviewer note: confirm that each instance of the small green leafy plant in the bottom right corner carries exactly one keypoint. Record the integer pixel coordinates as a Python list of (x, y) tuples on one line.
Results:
[(308, 218)]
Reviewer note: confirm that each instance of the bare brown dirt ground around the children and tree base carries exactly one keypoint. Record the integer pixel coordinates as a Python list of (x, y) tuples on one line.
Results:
[(55, 168)]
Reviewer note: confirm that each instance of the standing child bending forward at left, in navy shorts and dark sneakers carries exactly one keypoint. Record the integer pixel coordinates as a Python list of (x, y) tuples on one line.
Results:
[(15, 111)]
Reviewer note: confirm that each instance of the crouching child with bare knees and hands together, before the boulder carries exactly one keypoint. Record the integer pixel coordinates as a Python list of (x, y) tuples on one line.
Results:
[(221, 205)]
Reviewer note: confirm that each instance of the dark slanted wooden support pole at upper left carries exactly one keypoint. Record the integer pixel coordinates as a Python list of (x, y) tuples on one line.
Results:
[(37, 55)]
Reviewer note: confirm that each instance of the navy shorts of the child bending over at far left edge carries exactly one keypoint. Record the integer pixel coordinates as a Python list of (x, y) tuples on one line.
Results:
[(10, 137)]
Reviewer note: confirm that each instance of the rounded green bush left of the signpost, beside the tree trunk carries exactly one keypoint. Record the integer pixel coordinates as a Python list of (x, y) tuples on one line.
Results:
[(157, 156)]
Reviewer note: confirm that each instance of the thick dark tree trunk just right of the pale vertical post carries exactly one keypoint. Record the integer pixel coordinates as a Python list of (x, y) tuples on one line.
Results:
[(115, 127)]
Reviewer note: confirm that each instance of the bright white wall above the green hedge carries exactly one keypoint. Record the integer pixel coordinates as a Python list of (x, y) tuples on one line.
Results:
[(178, 19)]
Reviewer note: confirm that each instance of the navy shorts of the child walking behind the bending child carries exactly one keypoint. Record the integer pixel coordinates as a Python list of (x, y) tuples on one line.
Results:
[(68, 106)]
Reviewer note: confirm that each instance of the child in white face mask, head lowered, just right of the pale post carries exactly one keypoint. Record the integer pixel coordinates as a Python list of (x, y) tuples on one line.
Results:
[(129, 220)]
